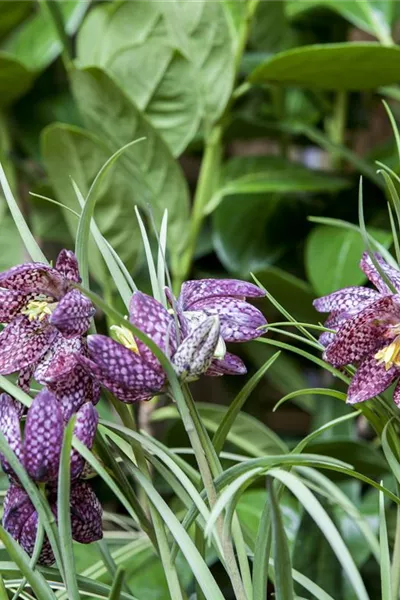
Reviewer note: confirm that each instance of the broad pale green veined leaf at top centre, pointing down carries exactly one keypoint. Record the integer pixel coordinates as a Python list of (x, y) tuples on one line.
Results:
[(174, 60)]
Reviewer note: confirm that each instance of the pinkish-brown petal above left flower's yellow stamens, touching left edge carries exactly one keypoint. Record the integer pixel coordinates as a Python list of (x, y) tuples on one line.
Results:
[(33, 277)]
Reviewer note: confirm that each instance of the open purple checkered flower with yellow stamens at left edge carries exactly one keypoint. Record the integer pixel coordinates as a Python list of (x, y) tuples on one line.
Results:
[(46, 319)]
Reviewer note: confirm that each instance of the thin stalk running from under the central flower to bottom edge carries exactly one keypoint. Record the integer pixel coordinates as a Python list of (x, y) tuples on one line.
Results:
[(206, 461)]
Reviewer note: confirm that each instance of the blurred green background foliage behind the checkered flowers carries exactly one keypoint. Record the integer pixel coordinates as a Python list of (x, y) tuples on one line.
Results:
[(272, 120)]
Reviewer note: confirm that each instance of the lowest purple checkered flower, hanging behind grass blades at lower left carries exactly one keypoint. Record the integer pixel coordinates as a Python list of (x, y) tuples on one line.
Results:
[(39, 451)]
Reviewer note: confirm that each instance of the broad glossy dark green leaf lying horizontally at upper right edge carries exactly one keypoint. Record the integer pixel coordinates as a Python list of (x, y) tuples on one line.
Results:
[(343, 66)]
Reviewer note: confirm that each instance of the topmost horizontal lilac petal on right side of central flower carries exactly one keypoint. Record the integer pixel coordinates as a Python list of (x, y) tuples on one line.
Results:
[(195, 290)]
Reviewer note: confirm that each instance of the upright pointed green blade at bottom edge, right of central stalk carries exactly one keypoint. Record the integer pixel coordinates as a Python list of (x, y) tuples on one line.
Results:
[(280, 549)]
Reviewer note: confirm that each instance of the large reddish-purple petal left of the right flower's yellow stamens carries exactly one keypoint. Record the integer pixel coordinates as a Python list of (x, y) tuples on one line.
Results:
[(362, 334)]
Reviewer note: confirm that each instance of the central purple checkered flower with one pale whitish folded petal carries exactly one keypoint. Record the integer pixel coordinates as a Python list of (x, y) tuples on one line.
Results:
[(207, 315)]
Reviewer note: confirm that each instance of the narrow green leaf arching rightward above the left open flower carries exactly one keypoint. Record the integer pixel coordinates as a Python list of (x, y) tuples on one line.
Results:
[(82, 235)]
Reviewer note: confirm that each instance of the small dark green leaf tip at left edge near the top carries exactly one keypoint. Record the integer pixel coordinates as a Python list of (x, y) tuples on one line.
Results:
[(15, 79)]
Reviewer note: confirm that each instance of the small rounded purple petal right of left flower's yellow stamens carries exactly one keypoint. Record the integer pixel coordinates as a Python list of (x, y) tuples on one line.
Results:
[(72, 314)]
